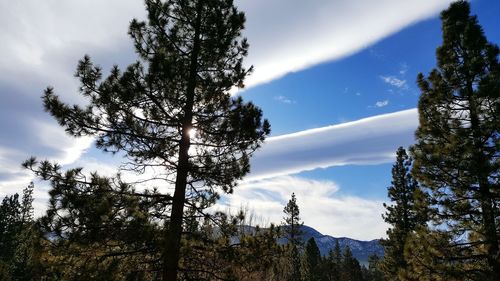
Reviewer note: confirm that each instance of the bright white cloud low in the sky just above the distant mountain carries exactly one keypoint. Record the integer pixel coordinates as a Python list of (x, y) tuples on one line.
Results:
[(320, 206)]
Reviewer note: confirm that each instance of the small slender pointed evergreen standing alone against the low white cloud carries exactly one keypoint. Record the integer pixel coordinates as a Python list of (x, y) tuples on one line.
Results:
[(293, 234)]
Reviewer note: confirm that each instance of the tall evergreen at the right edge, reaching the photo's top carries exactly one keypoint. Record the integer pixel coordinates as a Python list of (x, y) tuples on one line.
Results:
[(457, 150)]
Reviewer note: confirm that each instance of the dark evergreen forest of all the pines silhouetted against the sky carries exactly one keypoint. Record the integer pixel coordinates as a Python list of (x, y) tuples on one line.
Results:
[(174, 110)]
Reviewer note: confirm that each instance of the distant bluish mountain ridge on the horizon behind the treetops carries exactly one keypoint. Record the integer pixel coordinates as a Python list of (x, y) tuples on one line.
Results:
[(360, 249)]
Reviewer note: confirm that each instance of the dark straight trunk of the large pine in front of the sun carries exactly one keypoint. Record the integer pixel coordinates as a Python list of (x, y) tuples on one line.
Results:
[(171, 254)]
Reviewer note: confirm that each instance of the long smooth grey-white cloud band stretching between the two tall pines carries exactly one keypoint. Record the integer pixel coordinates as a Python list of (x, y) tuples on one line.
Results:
[(372, 140)]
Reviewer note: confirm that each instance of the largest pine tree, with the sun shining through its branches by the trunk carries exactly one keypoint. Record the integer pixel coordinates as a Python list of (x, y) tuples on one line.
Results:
[(171, 109)]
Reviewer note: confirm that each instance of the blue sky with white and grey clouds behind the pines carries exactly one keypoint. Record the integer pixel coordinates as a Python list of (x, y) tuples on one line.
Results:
[(336, 79)]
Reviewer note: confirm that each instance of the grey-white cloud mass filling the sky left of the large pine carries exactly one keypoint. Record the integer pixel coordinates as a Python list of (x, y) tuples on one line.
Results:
[(41, 44)]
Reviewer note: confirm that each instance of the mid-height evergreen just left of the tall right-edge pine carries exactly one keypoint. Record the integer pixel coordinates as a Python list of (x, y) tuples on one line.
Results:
[(401, 215)]
